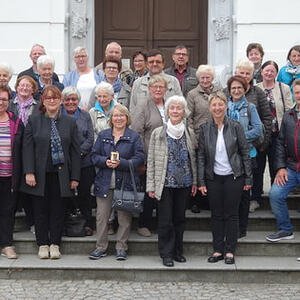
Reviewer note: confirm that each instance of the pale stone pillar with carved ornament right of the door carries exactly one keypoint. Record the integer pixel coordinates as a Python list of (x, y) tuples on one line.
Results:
[(220, 38)]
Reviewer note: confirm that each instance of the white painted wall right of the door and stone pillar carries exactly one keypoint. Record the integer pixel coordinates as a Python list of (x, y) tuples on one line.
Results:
[(273, 23)]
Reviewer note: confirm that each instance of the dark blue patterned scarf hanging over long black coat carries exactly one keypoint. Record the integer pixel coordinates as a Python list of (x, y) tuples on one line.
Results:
[(57, 152)]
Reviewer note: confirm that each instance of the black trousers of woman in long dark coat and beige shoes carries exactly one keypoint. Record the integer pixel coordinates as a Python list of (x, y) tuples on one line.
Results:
[(49, 212)]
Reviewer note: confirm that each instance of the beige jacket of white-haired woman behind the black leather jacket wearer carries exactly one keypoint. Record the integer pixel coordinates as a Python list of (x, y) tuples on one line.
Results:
[(197, 102)]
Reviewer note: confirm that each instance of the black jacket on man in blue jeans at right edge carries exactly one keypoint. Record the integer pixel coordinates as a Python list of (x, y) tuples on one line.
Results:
[(288, 142)]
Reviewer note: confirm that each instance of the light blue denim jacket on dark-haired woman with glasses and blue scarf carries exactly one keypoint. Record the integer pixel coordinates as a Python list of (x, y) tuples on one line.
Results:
[(251, 124)]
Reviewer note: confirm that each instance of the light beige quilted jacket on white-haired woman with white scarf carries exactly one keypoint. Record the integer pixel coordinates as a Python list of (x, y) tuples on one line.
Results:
[(158, 159)]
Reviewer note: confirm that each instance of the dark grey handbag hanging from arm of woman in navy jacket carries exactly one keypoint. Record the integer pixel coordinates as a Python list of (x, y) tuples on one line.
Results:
[(131, 201)]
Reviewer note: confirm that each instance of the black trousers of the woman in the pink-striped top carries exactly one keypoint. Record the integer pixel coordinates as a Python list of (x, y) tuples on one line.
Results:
[(7, 211)]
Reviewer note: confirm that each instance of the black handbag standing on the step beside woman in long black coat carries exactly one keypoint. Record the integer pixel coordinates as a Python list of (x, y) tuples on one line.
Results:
[(75, 223)]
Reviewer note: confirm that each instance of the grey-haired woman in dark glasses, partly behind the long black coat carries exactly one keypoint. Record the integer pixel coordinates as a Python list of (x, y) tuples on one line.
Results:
[(71, 98)]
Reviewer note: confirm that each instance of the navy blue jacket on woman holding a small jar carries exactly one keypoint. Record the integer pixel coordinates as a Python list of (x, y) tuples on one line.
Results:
[(129, 147)]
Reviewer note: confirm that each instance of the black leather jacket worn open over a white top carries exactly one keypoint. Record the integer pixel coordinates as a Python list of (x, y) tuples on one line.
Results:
[(236, 147)]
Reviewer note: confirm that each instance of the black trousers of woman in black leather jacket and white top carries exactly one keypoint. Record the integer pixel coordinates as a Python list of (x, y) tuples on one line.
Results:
[(224, 195)]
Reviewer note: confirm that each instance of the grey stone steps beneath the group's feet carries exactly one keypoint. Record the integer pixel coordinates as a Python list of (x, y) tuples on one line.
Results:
[(257, 261)]
